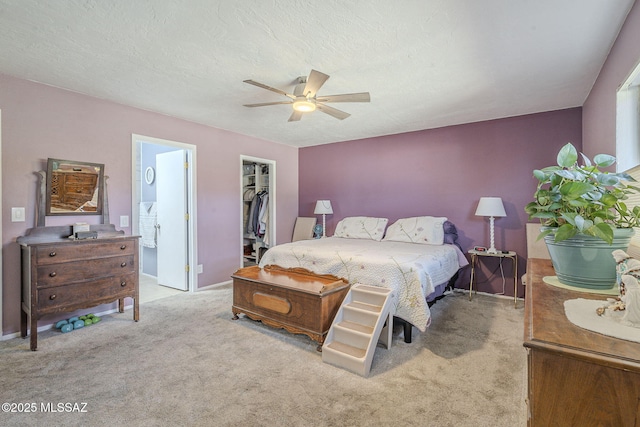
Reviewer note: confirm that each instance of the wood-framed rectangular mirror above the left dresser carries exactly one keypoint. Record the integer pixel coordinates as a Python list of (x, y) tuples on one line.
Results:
[(74, 188)]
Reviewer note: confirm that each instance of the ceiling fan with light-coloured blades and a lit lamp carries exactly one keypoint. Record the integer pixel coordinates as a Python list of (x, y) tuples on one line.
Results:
[(305, 98)]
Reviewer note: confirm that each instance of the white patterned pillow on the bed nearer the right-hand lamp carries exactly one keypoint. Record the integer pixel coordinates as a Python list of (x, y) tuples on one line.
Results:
[(426, 230)]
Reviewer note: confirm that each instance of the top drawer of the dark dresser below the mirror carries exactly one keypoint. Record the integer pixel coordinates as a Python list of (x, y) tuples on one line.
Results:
[(84, 249)]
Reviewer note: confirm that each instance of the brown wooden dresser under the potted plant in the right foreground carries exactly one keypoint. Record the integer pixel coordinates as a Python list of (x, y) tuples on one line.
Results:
[(575, 377)]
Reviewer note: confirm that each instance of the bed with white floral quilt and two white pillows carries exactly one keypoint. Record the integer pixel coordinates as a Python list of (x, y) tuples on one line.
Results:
[(416, 257)]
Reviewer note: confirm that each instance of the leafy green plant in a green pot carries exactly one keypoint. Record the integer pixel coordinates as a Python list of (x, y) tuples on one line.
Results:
[(584, 217)]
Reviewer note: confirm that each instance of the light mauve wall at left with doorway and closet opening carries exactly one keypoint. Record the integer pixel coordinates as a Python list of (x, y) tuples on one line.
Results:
[(40, 121)]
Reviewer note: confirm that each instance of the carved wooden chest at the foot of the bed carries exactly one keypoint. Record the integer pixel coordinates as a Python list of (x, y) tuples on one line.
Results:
[(297, 300)]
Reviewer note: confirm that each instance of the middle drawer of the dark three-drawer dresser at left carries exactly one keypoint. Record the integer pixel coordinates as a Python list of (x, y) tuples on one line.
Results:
[(69, 272)]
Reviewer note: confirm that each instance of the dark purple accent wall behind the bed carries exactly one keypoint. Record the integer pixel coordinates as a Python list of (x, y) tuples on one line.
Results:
[(442, 172)]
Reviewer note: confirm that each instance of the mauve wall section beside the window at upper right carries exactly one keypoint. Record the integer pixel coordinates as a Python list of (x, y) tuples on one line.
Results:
[(599, 110)]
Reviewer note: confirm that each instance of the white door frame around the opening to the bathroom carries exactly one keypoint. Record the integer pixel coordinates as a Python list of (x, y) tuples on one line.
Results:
[(192, 224)]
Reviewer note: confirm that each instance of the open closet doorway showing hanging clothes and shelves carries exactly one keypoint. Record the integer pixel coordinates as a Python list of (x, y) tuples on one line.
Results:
[(257, 208)]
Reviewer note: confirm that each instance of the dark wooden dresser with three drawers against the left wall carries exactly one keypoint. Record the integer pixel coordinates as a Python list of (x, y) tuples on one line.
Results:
[(61, 275)]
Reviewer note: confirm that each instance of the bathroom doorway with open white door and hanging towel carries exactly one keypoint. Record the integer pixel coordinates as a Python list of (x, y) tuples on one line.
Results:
[(164, 215)]
